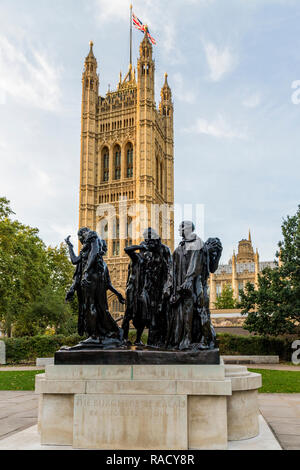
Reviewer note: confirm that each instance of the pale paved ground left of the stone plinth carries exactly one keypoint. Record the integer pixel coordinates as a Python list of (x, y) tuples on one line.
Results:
[(18, 411)]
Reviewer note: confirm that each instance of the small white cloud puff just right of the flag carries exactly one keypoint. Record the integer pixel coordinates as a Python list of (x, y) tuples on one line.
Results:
[(221, 61)]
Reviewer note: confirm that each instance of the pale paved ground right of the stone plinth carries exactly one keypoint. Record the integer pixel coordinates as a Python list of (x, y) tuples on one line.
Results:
[(282, 412)]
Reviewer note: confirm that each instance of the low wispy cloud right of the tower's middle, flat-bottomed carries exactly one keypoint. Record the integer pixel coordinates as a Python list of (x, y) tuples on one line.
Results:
[(218, 128)]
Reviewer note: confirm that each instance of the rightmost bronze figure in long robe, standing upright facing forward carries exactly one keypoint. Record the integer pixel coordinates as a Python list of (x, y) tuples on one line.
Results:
[(190, 324)]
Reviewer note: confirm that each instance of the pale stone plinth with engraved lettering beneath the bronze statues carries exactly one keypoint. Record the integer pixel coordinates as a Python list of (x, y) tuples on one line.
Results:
[(141, 406)]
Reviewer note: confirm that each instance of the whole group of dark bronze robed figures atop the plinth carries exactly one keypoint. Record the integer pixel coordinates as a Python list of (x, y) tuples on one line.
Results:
[(166, 294)]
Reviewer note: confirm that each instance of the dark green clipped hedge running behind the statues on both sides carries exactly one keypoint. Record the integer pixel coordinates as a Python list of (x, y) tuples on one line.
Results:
[(27, 349)]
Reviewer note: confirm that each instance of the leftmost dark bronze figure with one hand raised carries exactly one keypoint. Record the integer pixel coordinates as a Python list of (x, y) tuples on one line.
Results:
[(91, 283)]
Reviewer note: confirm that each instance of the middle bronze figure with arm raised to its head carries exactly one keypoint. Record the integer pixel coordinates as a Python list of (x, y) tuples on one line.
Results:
[(146, 290)]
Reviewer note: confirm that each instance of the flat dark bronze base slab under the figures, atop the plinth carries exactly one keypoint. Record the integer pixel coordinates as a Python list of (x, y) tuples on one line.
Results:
[(135, 356)]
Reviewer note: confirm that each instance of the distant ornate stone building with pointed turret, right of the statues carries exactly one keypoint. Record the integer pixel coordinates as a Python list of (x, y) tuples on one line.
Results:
[(242, 268)]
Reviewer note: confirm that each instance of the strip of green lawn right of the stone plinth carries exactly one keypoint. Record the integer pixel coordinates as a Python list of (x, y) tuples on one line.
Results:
[(279, 381)]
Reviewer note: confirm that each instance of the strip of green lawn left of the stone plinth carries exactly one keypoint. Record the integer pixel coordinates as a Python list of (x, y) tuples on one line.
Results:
[(18, 380)]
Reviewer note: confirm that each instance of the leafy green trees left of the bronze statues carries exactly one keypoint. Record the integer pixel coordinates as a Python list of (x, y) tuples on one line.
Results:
[(33, 280)]
